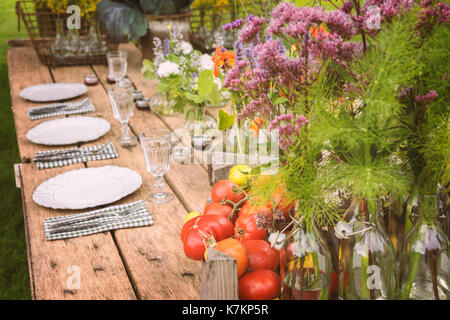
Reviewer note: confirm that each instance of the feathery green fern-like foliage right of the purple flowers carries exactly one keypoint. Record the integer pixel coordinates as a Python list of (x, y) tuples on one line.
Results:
[(377, 141)]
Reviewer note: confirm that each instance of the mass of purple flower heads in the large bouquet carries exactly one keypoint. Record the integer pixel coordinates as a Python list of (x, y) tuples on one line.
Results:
[(286, 60)]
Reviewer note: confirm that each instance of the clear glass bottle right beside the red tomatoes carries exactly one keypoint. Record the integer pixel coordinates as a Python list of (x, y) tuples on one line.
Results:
[(305, 265)]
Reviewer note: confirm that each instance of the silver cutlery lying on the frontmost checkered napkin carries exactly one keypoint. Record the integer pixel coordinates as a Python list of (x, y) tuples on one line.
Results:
[(69, 222)]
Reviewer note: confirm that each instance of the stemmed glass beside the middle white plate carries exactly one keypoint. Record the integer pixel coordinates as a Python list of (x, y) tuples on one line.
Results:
[(122, 104)]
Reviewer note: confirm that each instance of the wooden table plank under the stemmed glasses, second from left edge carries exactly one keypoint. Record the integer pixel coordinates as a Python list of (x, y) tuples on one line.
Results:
[(153, 255)]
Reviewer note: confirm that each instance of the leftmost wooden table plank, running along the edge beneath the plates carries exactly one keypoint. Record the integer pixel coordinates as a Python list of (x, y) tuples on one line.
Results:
[(97, 255)]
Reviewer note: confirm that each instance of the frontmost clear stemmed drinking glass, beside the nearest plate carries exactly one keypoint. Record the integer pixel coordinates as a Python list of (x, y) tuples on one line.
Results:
[(156, 145)]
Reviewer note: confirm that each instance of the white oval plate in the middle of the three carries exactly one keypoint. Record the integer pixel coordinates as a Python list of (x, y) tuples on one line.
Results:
[(68, 130)]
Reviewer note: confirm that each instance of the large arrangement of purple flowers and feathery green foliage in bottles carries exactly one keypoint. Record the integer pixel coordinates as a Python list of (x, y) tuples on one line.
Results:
[(358, 99)]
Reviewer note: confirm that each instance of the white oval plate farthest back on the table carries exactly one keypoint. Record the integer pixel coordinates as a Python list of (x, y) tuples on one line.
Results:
[(53, 91)]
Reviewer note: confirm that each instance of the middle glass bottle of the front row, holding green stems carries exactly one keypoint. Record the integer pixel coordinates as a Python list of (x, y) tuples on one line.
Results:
[(367, 259)]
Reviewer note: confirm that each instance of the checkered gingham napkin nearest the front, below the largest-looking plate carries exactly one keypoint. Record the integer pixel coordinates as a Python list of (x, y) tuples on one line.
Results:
[(138, 219)]
